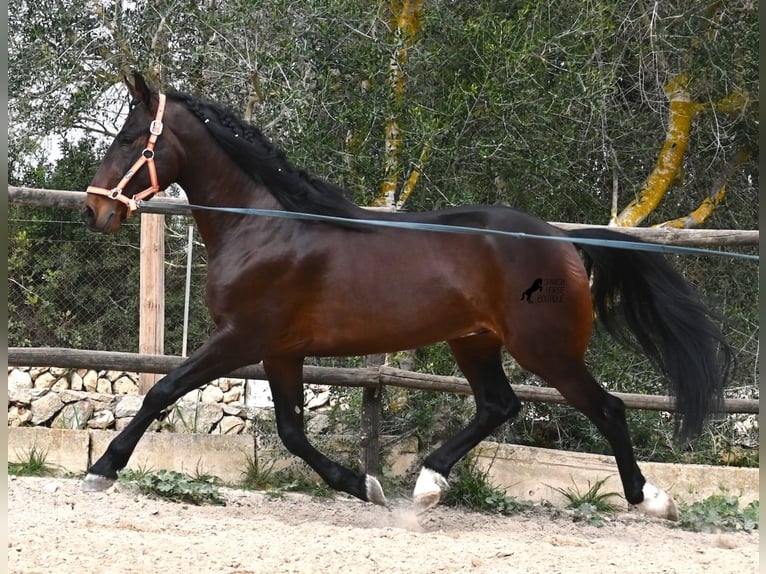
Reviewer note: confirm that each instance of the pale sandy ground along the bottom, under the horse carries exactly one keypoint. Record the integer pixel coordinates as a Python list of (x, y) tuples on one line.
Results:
[(54, 527)]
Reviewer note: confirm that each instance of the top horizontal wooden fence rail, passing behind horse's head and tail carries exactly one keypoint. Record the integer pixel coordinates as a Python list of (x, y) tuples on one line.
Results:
[(174, 206)]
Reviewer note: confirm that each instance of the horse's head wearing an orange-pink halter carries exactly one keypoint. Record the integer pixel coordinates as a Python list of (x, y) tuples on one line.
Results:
[(140, 162)]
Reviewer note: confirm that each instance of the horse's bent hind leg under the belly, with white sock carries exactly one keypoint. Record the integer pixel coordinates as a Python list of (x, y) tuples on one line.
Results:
[(479, 358)]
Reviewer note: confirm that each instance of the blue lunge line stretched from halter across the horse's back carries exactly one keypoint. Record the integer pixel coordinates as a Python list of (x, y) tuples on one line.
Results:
[(412, 225)]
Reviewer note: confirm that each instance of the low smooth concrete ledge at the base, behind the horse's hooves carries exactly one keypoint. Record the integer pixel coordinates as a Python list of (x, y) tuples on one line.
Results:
[(526, 473)]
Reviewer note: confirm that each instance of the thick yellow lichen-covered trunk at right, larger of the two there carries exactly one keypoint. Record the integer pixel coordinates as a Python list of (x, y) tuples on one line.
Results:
[(681, 114)]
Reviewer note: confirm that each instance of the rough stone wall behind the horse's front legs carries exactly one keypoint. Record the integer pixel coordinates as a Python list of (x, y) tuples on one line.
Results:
[(90, 399)]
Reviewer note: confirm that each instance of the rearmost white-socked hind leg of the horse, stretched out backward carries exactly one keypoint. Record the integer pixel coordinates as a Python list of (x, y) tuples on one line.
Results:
[(607, 413)]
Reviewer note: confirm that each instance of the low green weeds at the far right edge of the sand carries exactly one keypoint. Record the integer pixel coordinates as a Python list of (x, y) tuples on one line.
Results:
[(719, 513)]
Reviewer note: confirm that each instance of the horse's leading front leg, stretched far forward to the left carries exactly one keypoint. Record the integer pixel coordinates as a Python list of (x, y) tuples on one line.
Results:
[(215, 358)]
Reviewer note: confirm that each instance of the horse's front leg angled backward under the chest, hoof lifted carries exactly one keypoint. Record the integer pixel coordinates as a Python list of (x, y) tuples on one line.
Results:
[(286, 382)]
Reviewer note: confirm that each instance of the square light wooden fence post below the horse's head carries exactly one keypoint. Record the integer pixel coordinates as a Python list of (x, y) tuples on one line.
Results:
[(151, 338)]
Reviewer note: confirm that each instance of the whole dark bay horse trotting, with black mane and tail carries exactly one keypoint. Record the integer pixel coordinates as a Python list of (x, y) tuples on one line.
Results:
[(281, 289)]
